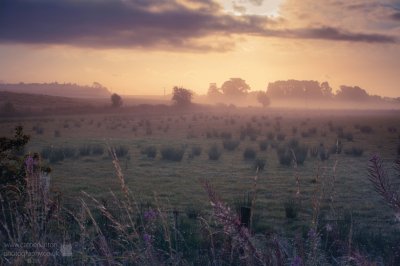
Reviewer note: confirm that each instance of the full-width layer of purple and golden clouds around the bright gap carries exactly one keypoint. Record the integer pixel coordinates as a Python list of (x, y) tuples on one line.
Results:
[(177, 24)]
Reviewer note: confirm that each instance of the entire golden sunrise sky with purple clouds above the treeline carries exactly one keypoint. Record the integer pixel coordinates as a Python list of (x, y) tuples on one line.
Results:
[(142, 47)]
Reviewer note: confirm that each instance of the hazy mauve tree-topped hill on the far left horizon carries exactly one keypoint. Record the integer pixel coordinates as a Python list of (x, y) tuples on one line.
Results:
[(57, 89)]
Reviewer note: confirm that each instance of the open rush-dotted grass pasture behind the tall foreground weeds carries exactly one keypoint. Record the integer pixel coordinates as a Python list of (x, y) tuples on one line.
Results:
[(176, 183)]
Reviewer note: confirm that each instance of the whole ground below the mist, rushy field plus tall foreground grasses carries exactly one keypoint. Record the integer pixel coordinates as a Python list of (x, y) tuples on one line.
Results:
[(284, 190)]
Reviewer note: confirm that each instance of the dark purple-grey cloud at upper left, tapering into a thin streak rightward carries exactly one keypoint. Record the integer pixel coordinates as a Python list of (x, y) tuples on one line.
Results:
[(165, 24)]
